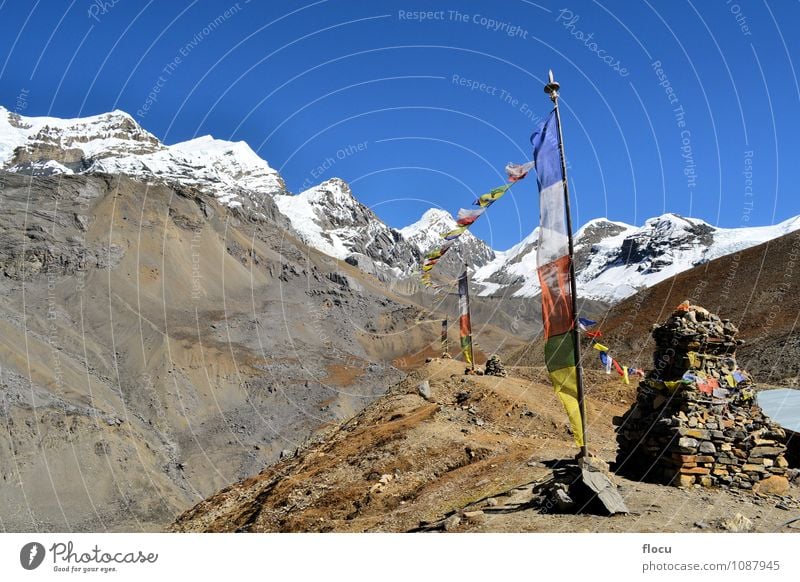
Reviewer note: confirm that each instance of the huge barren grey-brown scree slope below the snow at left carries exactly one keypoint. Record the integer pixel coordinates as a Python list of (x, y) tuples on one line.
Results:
[(157, 345)]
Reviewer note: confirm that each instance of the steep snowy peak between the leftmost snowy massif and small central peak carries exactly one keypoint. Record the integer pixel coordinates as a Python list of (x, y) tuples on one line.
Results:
[(328, 218)]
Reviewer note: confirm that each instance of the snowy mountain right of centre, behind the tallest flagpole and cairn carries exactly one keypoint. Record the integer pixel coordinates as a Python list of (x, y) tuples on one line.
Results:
[(614, 260)]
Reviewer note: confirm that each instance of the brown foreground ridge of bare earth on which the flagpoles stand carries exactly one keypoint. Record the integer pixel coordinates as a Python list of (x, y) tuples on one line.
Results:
[(471, 452)]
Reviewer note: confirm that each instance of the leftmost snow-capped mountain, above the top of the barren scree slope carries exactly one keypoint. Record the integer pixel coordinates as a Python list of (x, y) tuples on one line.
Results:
[(114, 143)]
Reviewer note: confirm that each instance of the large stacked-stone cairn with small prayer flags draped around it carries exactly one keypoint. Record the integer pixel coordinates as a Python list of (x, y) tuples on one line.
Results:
[(695, 419)]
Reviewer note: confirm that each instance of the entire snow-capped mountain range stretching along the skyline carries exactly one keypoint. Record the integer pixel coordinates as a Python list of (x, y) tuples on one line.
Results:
[(614, 260)]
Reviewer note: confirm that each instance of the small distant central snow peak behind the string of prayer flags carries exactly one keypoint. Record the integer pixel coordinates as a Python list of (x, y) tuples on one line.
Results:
[(425, 235)]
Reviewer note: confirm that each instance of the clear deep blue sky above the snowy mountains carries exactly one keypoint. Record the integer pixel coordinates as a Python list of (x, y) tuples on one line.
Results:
[(306, 82)]
